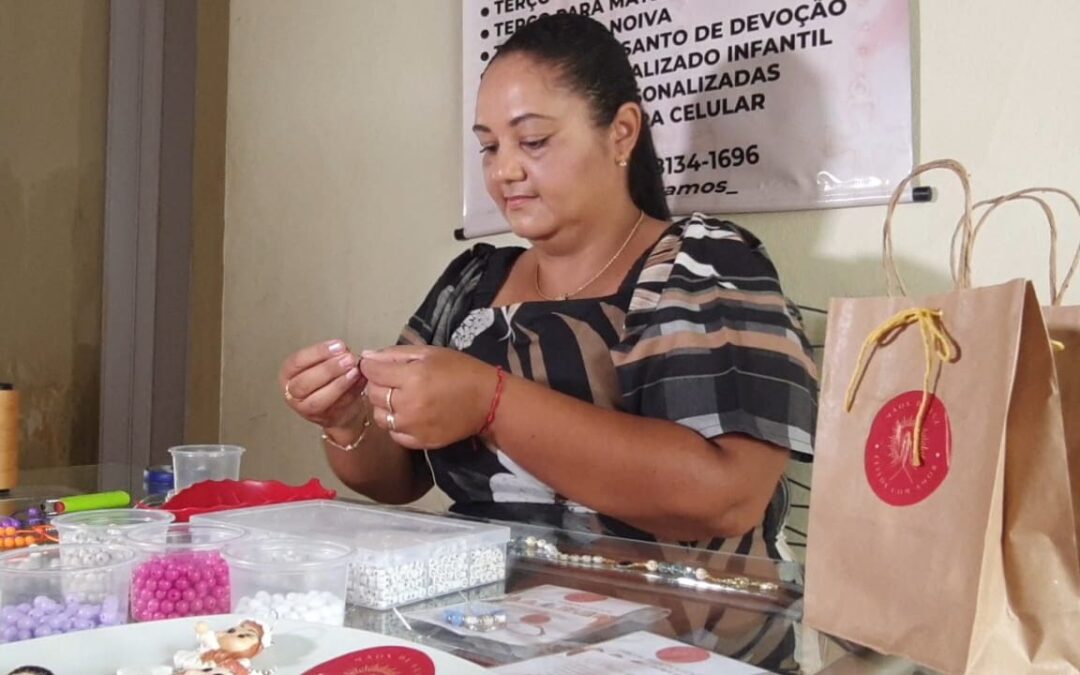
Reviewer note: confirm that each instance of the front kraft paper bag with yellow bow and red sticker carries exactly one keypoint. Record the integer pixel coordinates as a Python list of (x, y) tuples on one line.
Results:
[(941, 524)]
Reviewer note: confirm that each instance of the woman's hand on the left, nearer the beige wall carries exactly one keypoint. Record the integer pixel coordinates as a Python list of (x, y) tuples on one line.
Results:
[(323, 385)]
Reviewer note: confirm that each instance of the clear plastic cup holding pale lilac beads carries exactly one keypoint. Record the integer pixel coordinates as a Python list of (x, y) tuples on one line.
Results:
[(53, 590)]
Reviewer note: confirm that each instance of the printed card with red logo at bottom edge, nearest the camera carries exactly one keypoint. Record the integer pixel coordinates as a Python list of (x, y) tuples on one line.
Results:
[(638, 654)]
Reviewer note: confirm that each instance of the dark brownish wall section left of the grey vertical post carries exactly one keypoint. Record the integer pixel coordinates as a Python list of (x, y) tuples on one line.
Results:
[(53, 71)]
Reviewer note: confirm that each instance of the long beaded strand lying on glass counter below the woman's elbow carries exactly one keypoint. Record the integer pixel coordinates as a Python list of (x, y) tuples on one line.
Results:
[(676, 573)]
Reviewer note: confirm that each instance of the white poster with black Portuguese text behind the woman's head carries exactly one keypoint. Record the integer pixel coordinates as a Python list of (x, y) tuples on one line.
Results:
[(755, 105)]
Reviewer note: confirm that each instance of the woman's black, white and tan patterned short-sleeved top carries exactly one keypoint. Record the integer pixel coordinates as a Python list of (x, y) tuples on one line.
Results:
[(699, 333)]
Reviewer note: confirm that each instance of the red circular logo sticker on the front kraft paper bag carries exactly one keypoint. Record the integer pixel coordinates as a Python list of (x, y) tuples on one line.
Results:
[(889, 451)]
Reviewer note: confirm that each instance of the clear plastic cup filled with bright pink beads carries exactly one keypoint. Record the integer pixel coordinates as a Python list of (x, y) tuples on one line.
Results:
[(180, 571)]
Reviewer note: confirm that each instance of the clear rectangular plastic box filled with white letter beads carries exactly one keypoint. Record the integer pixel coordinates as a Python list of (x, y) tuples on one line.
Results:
[(400, 558)]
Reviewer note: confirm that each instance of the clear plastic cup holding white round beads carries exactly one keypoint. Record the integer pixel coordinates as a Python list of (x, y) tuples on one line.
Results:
[(298, 579)]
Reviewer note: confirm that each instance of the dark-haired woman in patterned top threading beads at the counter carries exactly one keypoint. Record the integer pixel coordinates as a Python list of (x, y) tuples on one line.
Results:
[(623, 375)]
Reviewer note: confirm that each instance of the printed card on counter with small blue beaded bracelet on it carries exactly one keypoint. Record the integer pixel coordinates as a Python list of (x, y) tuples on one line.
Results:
[(544, 615)]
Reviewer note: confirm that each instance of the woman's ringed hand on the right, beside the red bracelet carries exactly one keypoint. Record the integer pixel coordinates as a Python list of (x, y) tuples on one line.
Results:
[(439, 396)]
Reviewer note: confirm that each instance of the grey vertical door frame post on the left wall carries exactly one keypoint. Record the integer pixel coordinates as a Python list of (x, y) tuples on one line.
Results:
[(148, 206)]
